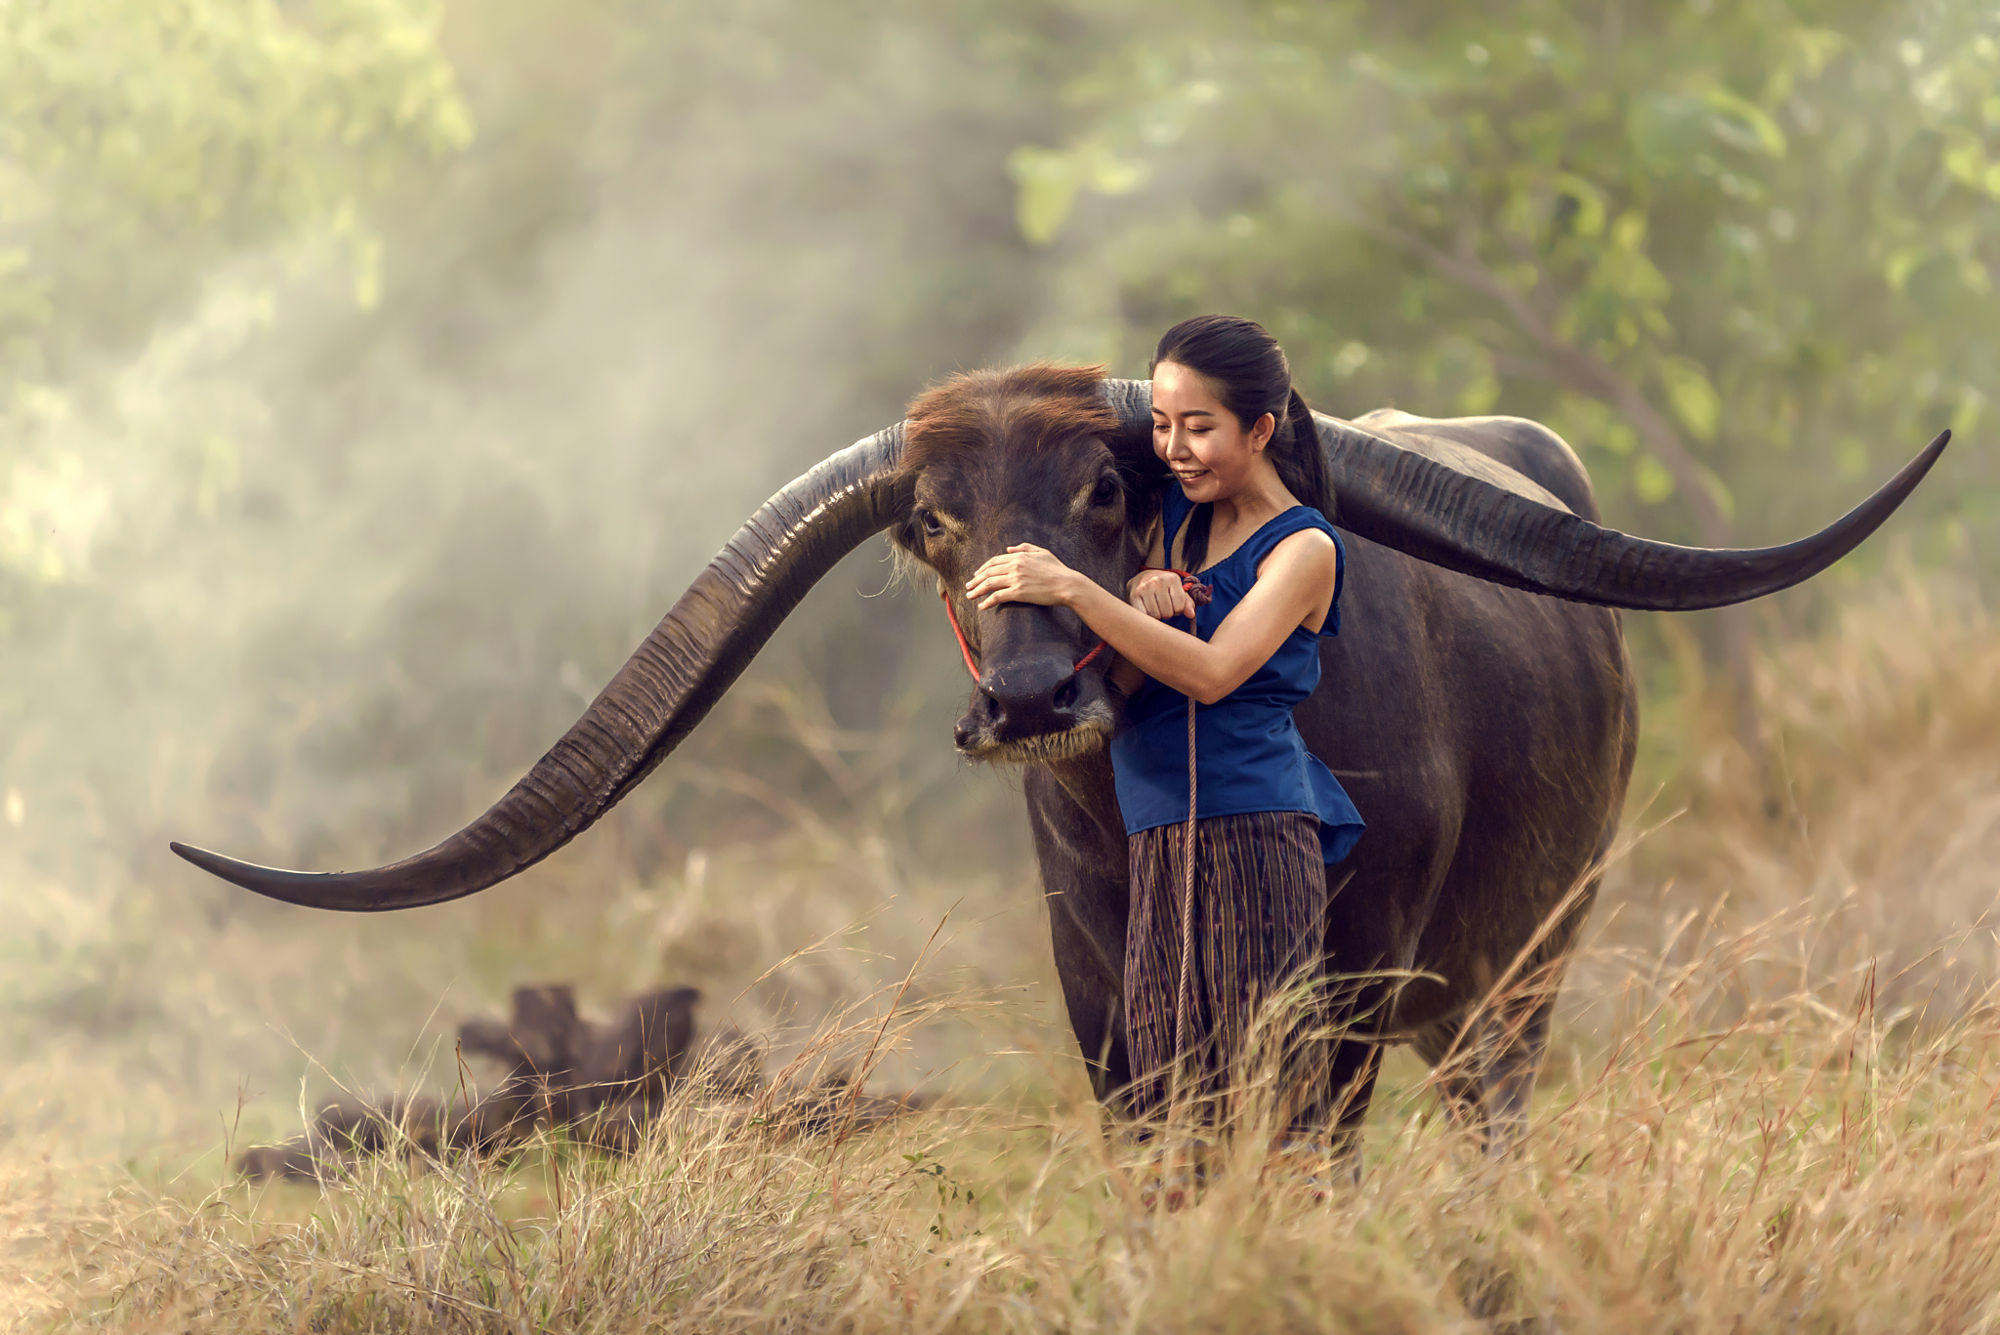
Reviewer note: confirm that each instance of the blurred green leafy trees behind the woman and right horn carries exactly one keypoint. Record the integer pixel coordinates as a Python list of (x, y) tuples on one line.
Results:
[(1701, 241)]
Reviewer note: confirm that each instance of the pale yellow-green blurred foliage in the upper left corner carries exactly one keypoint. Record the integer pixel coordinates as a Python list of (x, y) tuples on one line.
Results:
[(141, 145)]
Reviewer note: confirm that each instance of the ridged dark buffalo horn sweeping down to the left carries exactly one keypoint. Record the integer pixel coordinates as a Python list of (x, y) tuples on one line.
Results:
[(659, 696)]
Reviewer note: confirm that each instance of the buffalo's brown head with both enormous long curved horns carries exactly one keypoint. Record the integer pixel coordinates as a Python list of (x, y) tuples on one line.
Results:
[(995, 459)]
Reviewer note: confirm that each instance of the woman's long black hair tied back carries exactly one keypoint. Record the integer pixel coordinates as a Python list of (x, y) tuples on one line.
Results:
[(1251, 375)]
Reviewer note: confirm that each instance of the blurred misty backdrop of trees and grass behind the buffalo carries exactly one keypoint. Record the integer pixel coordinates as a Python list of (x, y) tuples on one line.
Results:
[(377, 373)]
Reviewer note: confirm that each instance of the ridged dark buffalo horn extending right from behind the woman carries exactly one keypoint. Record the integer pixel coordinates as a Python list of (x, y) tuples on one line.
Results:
[(1465, 523)]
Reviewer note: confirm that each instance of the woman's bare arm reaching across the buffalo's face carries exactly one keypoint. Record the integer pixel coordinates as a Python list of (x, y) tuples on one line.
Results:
[(1295, 583)]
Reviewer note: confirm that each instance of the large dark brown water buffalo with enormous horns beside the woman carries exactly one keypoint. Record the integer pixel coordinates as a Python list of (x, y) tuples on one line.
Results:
[(1479, 702)]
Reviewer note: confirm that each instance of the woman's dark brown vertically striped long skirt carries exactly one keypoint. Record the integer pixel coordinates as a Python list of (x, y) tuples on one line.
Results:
[(1259, 922)]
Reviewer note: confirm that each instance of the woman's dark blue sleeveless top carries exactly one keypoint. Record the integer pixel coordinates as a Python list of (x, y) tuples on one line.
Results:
[(1247, 748)]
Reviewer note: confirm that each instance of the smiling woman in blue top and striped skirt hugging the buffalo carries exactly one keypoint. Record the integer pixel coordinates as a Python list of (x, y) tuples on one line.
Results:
[(1247, 513)]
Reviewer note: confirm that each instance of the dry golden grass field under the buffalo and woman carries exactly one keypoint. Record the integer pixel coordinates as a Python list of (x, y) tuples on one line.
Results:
[(1771, 1102)]
